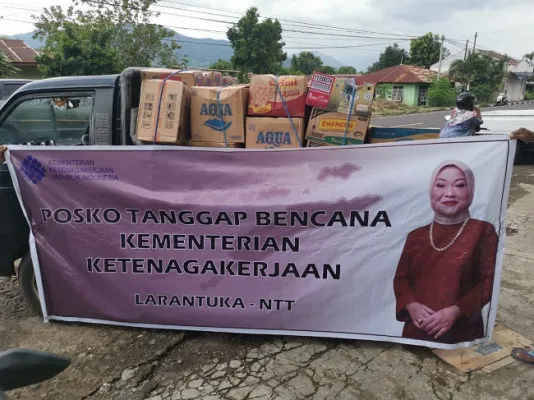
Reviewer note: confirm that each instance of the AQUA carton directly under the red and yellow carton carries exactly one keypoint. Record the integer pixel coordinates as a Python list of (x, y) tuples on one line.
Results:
[(274, 133)]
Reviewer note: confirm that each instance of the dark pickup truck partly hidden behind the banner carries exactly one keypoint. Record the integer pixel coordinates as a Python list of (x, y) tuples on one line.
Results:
[(75, 111)]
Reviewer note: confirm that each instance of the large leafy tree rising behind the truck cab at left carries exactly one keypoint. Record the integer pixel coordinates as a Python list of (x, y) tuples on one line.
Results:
[(106, 39)]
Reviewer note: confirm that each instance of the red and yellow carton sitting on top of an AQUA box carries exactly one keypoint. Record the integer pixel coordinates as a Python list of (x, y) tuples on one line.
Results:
[(266, 101)]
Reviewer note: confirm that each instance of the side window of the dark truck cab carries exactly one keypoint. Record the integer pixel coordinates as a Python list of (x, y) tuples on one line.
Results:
[(61, 119)]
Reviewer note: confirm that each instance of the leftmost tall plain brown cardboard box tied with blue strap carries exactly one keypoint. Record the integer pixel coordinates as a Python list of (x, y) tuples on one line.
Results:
[(174, 115)]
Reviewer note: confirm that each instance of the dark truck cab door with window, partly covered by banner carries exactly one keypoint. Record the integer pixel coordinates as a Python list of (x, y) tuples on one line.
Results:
[(64, 118)]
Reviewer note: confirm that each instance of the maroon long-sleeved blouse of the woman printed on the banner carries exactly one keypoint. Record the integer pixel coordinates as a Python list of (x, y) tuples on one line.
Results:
[(462, 275)]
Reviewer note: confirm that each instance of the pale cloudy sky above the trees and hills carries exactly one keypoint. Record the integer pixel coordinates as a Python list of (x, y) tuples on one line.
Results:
[(334, 27)]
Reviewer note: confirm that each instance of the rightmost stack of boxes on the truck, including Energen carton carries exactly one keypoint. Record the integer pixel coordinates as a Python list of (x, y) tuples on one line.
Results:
[(332, 102)]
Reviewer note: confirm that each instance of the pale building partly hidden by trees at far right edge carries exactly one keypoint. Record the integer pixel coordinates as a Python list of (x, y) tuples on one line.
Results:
[(517, 72)]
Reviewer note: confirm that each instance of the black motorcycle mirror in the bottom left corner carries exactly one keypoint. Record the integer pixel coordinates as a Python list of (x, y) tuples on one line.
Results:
[(22, 367)]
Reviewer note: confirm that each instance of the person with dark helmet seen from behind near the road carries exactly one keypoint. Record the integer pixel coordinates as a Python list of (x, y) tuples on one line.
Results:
[(465, 119)]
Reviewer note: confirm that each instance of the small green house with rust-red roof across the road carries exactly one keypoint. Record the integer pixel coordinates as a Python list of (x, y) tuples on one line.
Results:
[(402, 83)]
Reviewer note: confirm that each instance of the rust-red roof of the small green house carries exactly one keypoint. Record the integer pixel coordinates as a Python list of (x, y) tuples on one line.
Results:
[(398, 74)]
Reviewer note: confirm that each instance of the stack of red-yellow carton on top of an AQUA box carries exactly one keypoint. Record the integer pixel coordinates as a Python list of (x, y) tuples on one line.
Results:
[(271, 99)]
